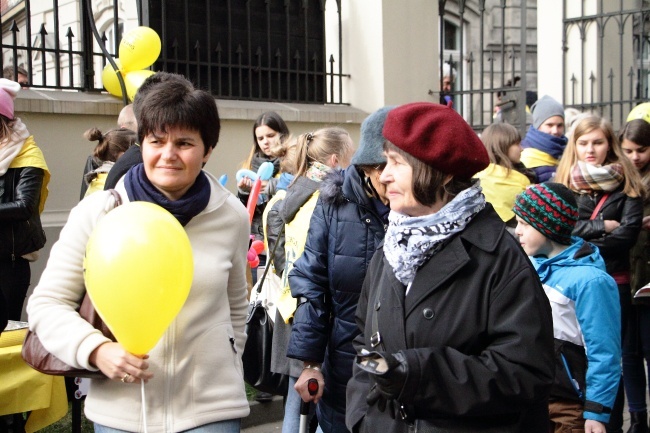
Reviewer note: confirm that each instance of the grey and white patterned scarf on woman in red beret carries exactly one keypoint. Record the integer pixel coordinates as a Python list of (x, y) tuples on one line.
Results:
[(411, 241)]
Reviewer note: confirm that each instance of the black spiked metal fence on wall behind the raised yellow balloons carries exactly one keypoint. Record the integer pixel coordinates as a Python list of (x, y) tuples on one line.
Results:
[(252, 50)]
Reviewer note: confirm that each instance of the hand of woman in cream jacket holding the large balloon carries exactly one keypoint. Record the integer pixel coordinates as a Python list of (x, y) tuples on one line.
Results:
[(118, 364)]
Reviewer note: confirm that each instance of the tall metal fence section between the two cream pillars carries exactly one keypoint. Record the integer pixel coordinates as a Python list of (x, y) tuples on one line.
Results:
[(486, 42)]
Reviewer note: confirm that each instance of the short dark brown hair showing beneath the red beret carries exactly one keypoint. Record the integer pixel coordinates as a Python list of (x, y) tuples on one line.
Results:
[(428, 183)]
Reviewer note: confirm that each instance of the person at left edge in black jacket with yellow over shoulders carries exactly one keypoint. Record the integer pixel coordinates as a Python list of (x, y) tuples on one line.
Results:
[(23, 190)]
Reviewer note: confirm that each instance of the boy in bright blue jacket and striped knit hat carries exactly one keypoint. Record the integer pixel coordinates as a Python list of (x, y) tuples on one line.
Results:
[(584, 301)]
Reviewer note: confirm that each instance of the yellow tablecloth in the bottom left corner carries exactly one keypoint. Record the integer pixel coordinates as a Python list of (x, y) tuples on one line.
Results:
[(23, 389)]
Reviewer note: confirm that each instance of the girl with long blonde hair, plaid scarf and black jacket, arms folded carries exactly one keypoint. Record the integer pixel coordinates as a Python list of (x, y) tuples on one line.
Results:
[(609, 192)]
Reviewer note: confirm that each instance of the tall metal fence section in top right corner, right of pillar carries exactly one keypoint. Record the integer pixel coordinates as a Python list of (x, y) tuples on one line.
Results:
[(606, 55)]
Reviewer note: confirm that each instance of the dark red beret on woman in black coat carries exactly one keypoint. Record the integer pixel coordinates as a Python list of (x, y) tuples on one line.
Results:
[(438, 136)]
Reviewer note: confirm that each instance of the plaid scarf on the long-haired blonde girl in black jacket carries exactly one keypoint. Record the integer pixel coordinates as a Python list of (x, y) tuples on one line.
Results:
[(586, 178)]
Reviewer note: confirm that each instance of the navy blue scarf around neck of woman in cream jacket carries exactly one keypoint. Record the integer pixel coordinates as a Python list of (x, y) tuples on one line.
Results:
[(139, 188)]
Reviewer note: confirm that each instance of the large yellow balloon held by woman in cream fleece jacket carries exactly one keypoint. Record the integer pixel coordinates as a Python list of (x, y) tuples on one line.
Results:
[(138, 271)]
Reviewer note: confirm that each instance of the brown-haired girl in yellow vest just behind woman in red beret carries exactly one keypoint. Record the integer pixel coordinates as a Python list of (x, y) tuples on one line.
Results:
[(506, 176)]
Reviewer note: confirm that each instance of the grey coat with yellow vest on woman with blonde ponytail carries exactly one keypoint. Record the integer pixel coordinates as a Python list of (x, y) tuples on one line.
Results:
[(294, 211)]
